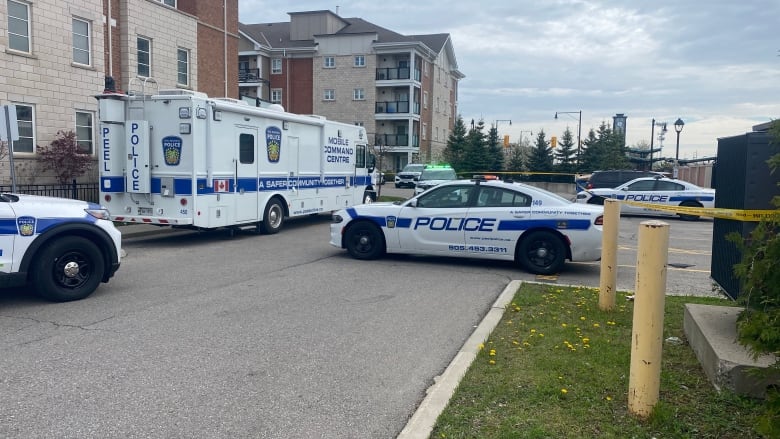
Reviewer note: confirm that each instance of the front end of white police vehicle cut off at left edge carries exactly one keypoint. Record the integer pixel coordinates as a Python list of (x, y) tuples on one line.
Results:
[(63, 248)]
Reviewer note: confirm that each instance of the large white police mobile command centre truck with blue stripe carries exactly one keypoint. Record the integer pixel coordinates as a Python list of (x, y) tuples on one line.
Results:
[(179, 158)]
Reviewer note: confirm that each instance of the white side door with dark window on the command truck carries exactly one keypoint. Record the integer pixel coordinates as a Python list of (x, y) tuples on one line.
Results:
[(245, 180)]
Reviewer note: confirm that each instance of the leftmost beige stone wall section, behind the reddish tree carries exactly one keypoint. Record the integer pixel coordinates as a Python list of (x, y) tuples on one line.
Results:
[(47, 78)]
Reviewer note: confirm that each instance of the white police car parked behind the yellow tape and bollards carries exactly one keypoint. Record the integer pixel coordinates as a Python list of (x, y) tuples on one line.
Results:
[(640, 194)]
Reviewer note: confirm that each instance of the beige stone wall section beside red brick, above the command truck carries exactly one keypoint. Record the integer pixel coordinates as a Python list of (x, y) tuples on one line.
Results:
[(168, 29)]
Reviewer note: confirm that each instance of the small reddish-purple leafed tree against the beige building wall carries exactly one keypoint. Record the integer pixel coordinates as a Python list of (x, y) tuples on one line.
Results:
[(65, 157)]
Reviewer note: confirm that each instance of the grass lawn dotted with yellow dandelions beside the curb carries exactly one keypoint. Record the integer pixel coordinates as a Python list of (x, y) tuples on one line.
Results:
[(558, 367)]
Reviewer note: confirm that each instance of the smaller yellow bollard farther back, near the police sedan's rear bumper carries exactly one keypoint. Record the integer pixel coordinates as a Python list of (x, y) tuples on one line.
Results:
[(608, 277)]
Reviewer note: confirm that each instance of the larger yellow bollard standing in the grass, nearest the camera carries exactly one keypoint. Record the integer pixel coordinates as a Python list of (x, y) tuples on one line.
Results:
[(648, 327)]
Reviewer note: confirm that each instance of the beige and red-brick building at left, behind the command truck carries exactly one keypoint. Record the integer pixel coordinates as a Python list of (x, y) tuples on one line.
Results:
[(57, 54)]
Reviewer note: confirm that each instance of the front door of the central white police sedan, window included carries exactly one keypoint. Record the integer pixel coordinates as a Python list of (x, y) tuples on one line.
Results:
[(437, 221)]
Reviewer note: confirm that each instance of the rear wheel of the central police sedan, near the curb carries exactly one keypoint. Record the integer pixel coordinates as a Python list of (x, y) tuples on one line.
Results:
[(541, 252)]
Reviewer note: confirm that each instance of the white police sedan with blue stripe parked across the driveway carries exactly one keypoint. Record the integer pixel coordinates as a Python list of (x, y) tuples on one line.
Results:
[(476, 219)]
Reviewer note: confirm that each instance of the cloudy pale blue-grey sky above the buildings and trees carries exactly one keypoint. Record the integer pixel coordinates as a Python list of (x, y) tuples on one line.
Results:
[(714, 64)]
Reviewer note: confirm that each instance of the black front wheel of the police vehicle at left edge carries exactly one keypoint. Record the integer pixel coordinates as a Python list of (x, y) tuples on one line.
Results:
[(70, 268)]
